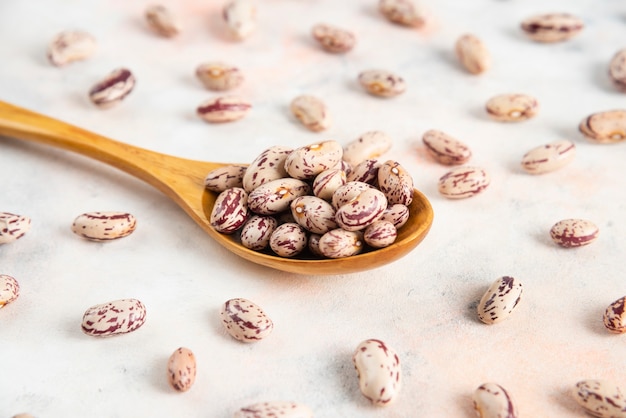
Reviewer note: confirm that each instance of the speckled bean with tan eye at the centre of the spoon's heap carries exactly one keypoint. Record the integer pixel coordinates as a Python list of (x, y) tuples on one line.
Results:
[(313, 214)]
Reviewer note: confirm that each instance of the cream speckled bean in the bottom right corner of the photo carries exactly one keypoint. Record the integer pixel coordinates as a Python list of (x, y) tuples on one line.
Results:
[(600, 398)]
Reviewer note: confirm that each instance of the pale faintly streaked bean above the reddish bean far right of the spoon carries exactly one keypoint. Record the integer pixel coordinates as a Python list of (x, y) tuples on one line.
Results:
[(549, 157)]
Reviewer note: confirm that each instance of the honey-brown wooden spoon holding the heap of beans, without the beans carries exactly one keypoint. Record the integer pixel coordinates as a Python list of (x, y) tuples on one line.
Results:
[(183, 181)]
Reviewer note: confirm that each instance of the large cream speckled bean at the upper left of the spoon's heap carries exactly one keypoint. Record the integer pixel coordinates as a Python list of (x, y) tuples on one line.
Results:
[(267, 166)]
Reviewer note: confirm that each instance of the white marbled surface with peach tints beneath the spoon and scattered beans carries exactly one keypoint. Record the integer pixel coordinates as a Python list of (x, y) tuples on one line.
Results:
[(423, 305)]
